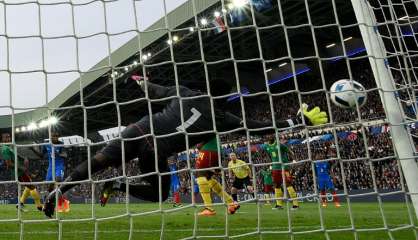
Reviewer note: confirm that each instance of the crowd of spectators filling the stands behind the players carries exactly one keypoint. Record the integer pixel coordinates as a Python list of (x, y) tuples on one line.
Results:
[(357, 166)]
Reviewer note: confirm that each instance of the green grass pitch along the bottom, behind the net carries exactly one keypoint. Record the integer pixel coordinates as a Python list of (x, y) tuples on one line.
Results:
[(179, 223)]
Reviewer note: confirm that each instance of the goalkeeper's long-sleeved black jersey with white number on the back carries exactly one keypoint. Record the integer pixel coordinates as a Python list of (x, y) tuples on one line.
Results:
[(197, 119)]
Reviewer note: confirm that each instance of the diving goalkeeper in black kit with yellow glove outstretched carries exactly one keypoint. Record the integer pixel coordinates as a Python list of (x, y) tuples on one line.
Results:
[(169, 130)]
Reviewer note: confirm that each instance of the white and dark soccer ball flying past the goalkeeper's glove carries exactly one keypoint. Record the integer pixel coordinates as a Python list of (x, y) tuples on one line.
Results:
[(345, 93)]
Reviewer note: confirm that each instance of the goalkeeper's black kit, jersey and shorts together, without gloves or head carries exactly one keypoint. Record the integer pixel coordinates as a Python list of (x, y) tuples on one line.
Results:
[(169, 132)]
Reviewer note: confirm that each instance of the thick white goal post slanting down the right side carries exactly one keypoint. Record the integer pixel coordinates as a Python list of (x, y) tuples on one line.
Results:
[(378, 58)]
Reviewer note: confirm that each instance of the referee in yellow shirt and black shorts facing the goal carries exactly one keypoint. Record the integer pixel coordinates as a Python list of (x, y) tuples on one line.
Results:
[(240, 172)]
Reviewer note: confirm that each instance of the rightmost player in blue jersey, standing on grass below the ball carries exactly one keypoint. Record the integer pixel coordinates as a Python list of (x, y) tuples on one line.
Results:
[(325, 182)]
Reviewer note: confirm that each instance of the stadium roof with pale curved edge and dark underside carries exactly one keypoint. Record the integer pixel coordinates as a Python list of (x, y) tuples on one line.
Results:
[(98, 90)]
